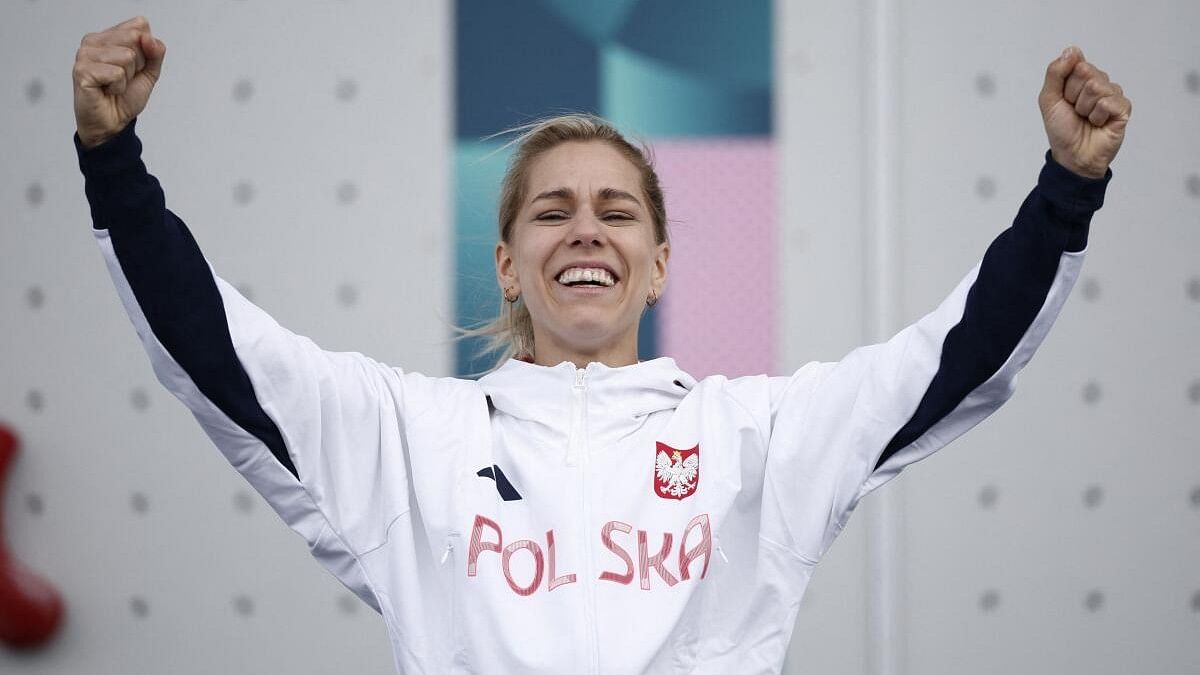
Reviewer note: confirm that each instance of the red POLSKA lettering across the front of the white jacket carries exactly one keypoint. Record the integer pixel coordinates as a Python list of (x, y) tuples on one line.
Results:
[(487, 536)]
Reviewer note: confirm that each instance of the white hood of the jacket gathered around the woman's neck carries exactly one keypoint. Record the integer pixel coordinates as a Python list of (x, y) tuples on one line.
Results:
[(615, 396)]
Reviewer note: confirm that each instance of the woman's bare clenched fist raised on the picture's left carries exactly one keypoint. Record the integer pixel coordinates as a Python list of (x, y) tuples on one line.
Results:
[(115, 73)]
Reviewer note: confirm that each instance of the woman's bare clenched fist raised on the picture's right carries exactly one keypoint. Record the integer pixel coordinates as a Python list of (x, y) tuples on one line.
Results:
[(1085, 115)]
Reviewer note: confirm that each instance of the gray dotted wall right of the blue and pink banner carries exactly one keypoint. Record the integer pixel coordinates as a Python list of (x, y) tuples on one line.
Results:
[(1064, 534)]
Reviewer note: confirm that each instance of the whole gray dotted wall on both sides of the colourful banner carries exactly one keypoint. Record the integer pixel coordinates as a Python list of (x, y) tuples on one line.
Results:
[(308, 148)]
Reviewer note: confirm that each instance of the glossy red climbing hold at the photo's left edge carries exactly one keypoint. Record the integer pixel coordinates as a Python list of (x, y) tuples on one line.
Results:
[(31, 608)]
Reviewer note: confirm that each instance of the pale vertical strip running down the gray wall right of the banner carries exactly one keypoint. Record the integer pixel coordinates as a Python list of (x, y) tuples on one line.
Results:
[(881, 23)]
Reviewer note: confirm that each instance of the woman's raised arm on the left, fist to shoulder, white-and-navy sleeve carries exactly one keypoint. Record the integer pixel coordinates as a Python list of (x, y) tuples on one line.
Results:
[(319, 434)]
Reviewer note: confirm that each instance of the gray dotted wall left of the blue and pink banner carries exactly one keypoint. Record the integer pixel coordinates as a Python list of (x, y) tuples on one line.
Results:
[(307, 150)]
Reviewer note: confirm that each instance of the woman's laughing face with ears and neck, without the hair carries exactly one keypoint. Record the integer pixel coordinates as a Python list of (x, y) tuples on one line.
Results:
[(583, 250)]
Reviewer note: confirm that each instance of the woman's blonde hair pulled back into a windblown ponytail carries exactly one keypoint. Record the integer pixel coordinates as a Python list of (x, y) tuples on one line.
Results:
[(511, 334)]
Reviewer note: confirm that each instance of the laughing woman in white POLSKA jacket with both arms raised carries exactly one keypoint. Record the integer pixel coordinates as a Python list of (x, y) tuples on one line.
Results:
[(578, 511)]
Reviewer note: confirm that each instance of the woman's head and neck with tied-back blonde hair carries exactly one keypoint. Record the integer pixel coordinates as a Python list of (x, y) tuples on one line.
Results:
[(583, 246)]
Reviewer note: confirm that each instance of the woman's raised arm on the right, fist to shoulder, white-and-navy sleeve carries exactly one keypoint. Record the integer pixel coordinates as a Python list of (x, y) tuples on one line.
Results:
[(843, 429)]
